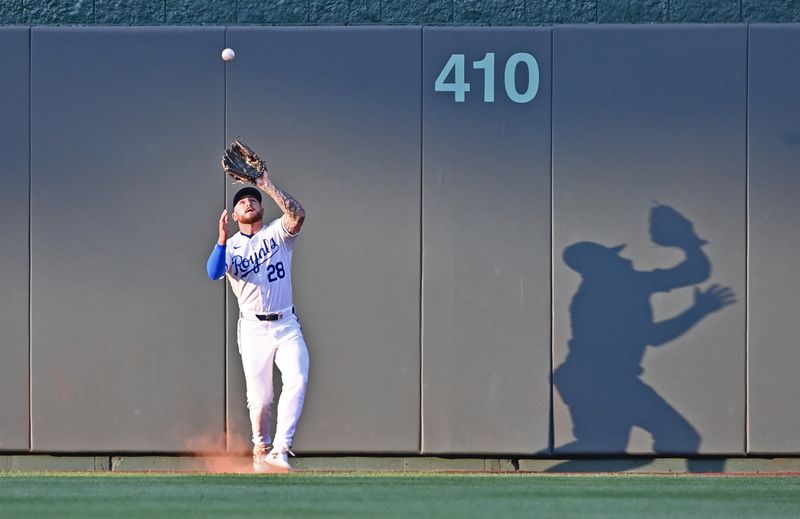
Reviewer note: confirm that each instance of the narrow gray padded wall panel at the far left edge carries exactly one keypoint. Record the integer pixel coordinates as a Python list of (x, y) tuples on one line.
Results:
[(14, 381)]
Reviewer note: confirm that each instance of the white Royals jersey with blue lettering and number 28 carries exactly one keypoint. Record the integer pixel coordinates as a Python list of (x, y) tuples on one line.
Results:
[(259, 268)]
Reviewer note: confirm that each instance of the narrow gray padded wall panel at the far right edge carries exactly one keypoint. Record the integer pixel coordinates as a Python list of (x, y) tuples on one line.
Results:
[(774, 156)]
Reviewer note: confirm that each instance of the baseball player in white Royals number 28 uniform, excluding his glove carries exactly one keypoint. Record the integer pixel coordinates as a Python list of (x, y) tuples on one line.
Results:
[(258, 263)]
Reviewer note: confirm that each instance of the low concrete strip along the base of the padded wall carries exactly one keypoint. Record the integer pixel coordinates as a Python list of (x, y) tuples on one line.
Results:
[(733, 466)]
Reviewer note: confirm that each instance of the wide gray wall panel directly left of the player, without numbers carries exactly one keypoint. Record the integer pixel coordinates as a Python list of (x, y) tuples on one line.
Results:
[(127, 332)]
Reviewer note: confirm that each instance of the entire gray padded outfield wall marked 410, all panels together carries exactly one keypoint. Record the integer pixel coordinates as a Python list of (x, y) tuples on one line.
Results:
[(430, 279)]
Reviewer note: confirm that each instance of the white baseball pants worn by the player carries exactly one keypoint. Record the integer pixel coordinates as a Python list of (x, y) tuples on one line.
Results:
[(262, 344)]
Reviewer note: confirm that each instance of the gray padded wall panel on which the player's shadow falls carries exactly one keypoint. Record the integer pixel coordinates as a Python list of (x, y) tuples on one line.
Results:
[(646, 114)]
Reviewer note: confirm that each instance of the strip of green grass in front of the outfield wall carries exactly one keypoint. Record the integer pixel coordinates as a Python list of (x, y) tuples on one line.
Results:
[(420, 496)]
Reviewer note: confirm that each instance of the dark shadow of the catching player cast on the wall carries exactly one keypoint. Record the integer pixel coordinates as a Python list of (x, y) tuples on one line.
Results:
[(612, 326)]
